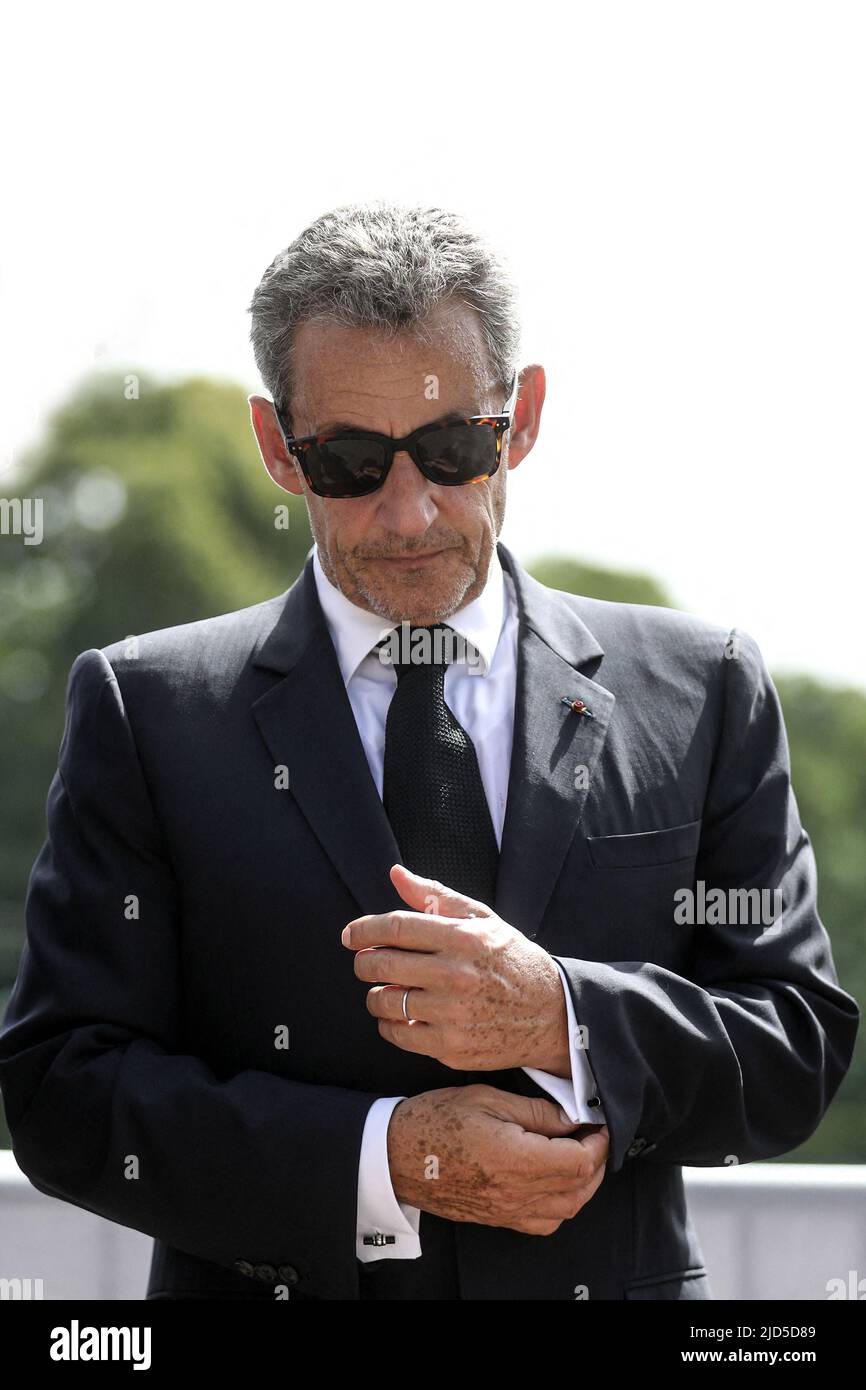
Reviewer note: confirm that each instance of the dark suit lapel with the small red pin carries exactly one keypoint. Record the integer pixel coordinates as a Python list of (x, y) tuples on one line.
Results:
[(554, 751)]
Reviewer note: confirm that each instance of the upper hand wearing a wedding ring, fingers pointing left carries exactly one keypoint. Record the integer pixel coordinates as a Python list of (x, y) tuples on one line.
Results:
[(483, 997)]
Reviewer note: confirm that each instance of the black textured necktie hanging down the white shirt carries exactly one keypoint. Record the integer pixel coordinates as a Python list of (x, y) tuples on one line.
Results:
[(433, 792)]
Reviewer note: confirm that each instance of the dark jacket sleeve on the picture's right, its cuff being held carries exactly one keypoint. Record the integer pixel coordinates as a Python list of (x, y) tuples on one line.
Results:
[(739, 1060)]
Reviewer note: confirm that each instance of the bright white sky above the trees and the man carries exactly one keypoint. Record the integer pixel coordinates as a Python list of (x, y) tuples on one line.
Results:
[(680, 188)]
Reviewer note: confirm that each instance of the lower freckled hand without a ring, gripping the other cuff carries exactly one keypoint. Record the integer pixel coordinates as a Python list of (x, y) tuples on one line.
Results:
[(501, 1160)]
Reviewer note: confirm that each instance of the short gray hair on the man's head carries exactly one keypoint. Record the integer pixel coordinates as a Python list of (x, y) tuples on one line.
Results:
[(382, 266)]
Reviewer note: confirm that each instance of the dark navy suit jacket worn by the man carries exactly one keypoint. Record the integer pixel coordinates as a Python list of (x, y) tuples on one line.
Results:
[(184, 908)]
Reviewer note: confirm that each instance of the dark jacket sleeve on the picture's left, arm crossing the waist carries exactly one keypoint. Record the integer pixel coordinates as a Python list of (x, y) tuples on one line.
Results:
[(105, 1107)]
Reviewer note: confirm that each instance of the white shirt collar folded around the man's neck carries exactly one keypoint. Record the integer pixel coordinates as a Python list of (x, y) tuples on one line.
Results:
[(355, 632)]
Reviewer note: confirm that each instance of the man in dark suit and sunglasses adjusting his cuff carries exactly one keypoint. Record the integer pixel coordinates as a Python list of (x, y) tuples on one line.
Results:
[(329, 919)]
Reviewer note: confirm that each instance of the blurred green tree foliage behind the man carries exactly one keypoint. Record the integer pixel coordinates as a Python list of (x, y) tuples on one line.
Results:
[(158, 511)]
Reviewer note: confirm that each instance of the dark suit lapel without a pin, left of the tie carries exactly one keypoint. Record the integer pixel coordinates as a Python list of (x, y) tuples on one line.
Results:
[(327, 771)]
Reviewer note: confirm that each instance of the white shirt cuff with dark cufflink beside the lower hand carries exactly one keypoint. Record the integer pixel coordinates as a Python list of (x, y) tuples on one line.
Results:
[(379, 1210)]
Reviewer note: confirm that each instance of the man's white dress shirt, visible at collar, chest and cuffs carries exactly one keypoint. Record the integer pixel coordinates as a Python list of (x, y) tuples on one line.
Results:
[(483, 703)]
